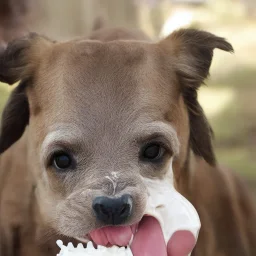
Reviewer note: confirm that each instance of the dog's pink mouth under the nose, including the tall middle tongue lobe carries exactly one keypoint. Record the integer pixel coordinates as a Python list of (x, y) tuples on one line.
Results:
[(144, 238)]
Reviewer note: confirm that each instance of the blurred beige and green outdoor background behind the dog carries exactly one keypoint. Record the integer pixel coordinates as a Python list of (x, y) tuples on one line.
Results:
[(229, 99)]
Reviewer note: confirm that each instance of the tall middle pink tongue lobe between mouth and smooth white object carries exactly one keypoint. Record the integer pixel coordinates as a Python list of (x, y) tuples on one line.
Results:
[(149, 240)]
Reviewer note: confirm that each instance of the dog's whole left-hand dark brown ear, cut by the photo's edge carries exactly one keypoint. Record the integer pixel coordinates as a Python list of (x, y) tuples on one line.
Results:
[(17, 63)]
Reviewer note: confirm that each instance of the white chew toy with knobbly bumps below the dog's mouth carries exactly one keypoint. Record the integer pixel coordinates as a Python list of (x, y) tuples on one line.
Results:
[(70, 250)]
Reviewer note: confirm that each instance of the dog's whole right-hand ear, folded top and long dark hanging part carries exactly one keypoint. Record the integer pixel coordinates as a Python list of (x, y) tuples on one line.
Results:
[(191, 53)]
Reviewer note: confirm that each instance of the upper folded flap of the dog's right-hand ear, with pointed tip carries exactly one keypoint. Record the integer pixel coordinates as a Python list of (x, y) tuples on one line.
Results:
[(191, 52)]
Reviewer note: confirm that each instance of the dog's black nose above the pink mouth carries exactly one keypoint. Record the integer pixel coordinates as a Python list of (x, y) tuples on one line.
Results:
[(112, 211)]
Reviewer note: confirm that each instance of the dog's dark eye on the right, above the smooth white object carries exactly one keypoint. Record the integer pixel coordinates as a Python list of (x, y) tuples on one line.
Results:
[(152, 152)]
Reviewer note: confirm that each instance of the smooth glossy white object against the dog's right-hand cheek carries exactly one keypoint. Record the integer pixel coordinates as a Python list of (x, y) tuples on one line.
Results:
[(173, 211)]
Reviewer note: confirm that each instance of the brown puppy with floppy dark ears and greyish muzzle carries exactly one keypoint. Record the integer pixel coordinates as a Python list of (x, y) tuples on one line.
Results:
[(115, 107)]
